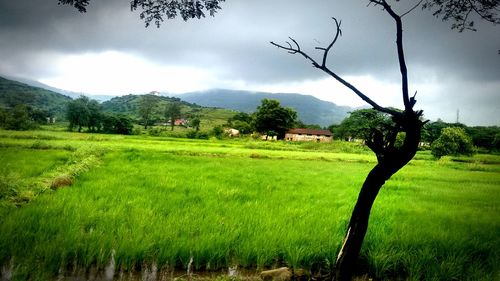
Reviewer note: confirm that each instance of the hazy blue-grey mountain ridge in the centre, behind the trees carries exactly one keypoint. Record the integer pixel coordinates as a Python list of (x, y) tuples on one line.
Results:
[(309, 109)]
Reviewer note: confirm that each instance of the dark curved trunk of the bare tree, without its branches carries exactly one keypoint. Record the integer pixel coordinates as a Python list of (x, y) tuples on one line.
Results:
[(390, 161)]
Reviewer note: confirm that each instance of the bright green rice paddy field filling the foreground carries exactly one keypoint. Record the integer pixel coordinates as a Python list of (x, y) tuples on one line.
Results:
[(113, 204)]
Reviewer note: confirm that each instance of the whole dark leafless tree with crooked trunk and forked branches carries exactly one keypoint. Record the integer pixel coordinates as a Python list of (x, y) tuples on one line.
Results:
[(390, 158)]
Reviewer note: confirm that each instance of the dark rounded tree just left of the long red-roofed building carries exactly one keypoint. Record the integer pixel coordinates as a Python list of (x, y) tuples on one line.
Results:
[(271, 117)]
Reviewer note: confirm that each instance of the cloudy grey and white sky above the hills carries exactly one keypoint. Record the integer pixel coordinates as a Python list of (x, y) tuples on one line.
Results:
[(109, 51)]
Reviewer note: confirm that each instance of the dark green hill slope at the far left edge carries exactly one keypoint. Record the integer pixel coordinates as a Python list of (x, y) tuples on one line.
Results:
[(13, 93)]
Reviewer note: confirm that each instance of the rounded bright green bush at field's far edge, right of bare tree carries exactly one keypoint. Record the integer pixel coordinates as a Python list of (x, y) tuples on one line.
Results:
[(452, 141)]
